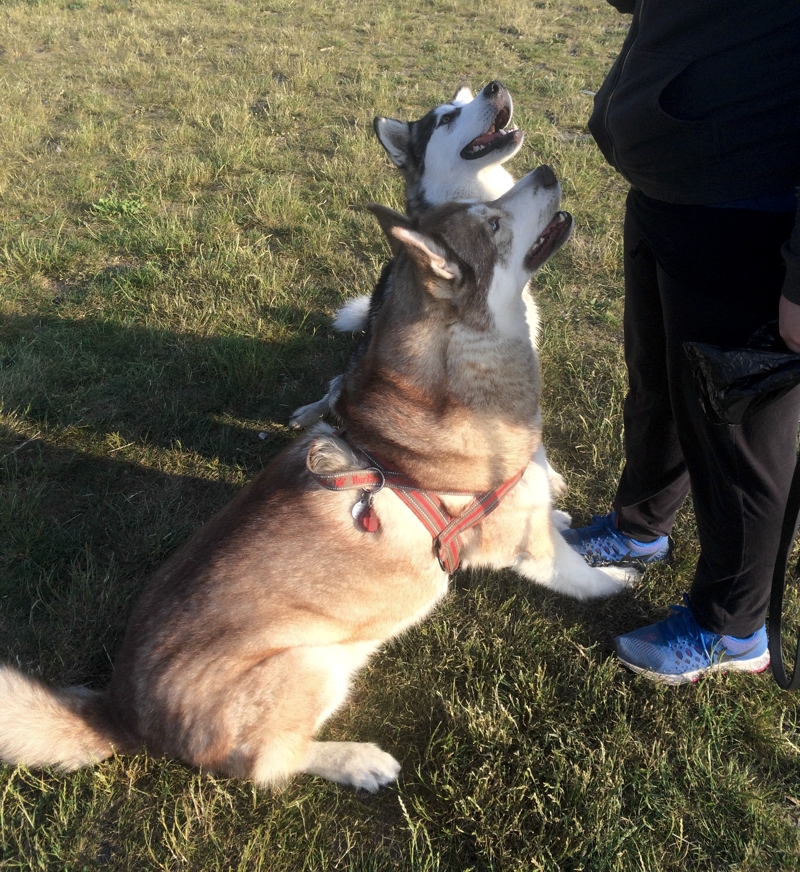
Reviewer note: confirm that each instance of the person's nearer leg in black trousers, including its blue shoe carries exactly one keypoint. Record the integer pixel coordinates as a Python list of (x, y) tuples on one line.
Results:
[(740, 475)]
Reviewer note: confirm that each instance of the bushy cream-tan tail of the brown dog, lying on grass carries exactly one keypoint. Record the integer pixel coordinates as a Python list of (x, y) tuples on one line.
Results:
[(68, 728)]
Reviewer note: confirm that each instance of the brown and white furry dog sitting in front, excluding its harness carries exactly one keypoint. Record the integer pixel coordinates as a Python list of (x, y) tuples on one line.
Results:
[(246, 640)]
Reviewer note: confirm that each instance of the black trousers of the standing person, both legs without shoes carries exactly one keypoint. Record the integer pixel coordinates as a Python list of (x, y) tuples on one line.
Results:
[(697, 273)]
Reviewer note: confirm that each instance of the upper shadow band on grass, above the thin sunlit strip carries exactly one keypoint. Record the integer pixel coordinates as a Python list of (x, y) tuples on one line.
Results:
[(210, 395)]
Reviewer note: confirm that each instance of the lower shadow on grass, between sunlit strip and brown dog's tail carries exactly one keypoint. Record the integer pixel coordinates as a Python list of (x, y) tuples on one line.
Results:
[(81, 534)]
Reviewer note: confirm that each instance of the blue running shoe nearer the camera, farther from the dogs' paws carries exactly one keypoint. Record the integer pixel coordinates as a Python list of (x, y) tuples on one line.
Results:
[(677, 650)]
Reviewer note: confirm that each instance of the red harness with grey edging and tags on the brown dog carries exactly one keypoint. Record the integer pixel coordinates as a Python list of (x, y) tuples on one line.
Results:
[(444, 529)]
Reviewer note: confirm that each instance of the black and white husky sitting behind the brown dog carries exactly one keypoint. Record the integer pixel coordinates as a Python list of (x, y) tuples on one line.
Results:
[(454, 152)]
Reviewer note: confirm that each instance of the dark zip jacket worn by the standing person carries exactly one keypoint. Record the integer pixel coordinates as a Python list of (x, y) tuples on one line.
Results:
[(702, 106)]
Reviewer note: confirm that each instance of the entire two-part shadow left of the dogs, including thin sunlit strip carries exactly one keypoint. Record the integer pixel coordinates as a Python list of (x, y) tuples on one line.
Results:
[(118, 443)]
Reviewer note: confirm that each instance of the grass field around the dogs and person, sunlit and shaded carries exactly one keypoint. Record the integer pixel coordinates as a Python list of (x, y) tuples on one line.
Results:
[(180, 186)]
